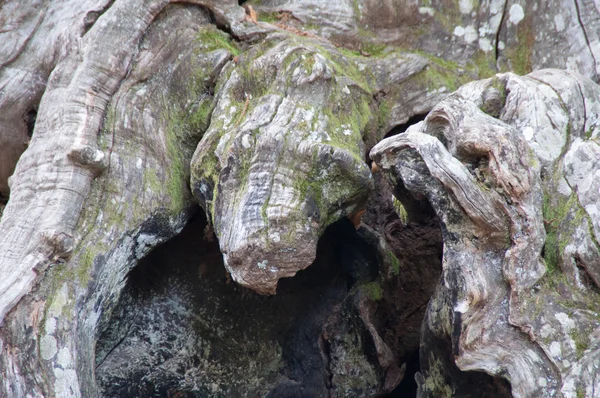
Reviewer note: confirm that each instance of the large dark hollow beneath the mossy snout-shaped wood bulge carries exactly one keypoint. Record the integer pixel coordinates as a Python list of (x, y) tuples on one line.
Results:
[(188, 319)]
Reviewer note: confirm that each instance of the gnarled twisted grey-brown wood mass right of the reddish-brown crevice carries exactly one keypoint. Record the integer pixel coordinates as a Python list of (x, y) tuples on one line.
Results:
[(518, 295)]
